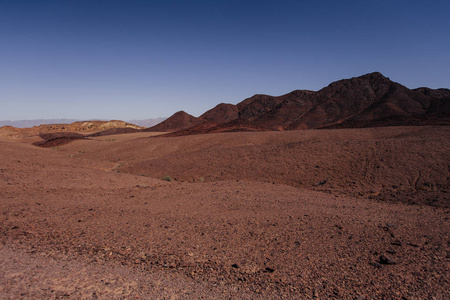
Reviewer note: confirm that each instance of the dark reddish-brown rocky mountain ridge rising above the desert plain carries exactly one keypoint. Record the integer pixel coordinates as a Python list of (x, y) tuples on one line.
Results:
[(368, 100)]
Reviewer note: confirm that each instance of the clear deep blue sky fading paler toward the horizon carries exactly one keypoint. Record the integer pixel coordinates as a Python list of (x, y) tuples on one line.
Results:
[(136, 59)]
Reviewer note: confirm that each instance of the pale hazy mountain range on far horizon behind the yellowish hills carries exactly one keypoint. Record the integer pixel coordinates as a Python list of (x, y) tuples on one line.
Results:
[(37, 122)]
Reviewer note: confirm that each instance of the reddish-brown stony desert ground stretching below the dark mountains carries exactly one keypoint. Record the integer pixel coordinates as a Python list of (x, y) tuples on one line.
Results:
[(300, 214)]
